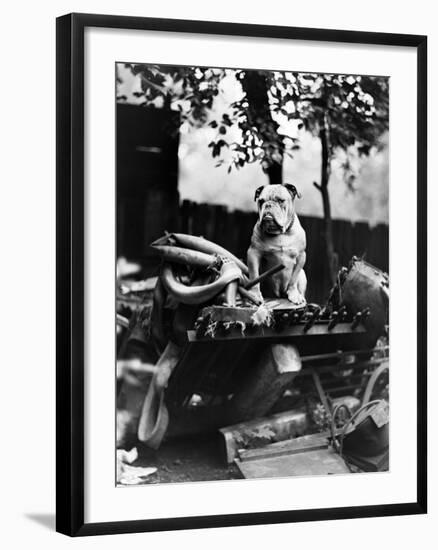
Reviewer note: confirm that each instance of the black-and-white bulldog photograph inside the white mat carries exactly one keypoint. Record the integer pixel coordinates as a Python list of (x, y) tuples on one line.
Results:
[(252, 292)]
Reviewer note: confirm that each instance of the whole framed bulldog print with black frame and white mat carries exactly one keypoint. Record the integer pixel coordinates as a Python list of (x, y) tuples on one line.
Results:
[(241, 274)]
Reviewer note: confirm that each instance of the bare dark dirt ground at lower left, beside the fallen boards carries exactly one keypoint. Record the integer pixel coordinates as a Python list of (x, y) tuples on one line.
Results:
[(189, 459)]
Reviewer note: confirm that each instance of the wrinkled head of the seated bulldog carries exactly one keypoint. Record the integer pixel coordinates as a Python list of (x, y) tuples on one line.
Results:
[(275, 204)]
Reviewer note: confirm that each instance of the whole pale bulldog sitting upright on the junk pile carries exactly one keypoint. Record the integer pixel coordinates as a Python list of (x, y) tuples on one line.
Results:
[(278, 237)]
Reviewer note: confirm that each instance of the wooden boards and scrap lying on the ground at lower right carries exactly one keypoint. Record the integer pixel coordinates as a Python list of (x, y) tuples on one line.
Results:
[(356, 441)]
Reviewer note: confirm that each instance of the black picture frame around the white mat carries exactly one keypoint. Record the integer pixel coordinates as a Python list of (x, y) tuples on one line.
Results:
[(70, 272)]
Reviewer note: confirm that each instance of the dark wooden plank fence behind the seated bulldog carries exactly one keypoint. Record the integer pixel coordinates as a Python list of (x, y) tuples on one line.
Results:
[(143, 223)]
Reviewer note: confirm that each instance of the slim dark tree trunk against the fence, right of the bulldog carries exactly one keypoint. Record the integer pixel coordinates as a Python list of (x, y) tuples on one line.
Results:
[(331, 255)]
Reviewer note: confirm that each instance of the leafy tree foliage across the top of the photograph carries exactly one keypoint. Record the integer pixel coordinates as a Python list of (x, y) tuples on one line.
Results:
[(353, 109)]
